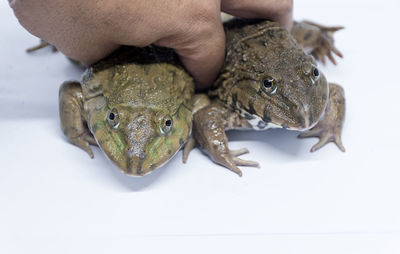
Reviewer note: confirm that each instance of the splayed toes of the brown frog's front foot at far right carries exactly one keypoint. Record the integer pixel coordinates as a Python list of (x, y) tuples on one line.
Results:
[(325, 136)]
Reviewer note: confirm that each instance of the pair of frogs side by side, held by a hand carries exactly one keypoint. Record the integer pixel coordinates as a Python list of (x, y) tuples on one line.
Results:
[(140, 107)]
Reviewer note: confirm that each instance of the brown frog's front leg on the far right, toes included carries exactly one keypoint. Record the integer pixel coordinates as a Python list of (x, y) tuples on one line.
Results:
[(329, 129)]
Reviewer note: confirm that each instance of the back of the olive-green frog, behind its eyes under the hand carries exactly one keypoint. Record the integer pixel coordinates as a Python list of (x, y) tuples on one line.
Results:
[(148, 77)]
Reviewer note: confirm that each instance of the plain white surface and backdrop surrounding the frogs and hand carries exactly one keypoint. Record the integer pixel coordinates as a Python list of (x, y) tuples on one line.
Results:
[(55, 199)]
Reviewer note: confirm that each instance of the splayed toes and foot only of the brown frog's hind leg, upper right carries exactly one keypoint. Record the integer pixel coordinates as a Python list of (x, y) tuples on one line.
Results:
[(324, 45)]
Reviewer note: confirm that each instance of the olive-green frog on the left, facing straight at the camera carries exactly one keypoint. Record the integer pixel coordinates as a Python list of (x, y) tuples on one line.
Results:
[(136, 105)]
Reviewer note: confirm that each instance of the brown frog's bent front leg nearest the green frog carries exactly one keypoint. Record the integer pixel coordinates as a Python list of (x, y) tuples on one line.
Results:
[(209, 125)]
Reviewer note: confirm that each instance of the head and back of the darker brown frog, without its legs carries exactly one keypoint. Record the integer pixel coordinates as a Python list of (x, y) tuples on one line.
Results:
[(272, 82)]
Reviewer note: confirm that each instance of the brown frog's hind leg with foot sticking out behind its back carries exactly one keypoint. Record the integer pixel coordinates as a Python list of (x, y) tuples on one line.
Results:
[(316, 39)]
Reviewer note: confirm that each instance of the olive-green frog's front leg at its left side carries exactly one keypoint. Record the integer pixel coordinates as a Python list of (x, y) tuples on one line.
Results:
[(73, 117)]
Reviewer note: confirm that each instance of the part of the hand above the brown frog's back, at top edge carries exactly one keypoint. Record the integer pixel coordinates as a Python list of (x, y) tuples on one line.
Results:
[(279, 11)]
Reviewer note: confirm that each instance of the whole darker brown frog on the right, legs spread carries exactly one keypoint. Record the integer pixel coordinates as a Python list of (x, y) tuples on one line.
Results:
[(269, 81)]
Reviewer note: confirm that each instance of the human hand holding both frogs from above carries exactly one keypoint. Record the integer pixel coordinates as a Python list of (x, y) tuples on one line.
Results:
[(89, 30)]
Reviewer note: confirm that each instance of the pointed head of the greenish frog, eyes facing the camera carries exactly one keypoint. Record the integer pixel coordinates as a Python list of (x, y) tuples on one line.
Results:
[(137, 139)]
